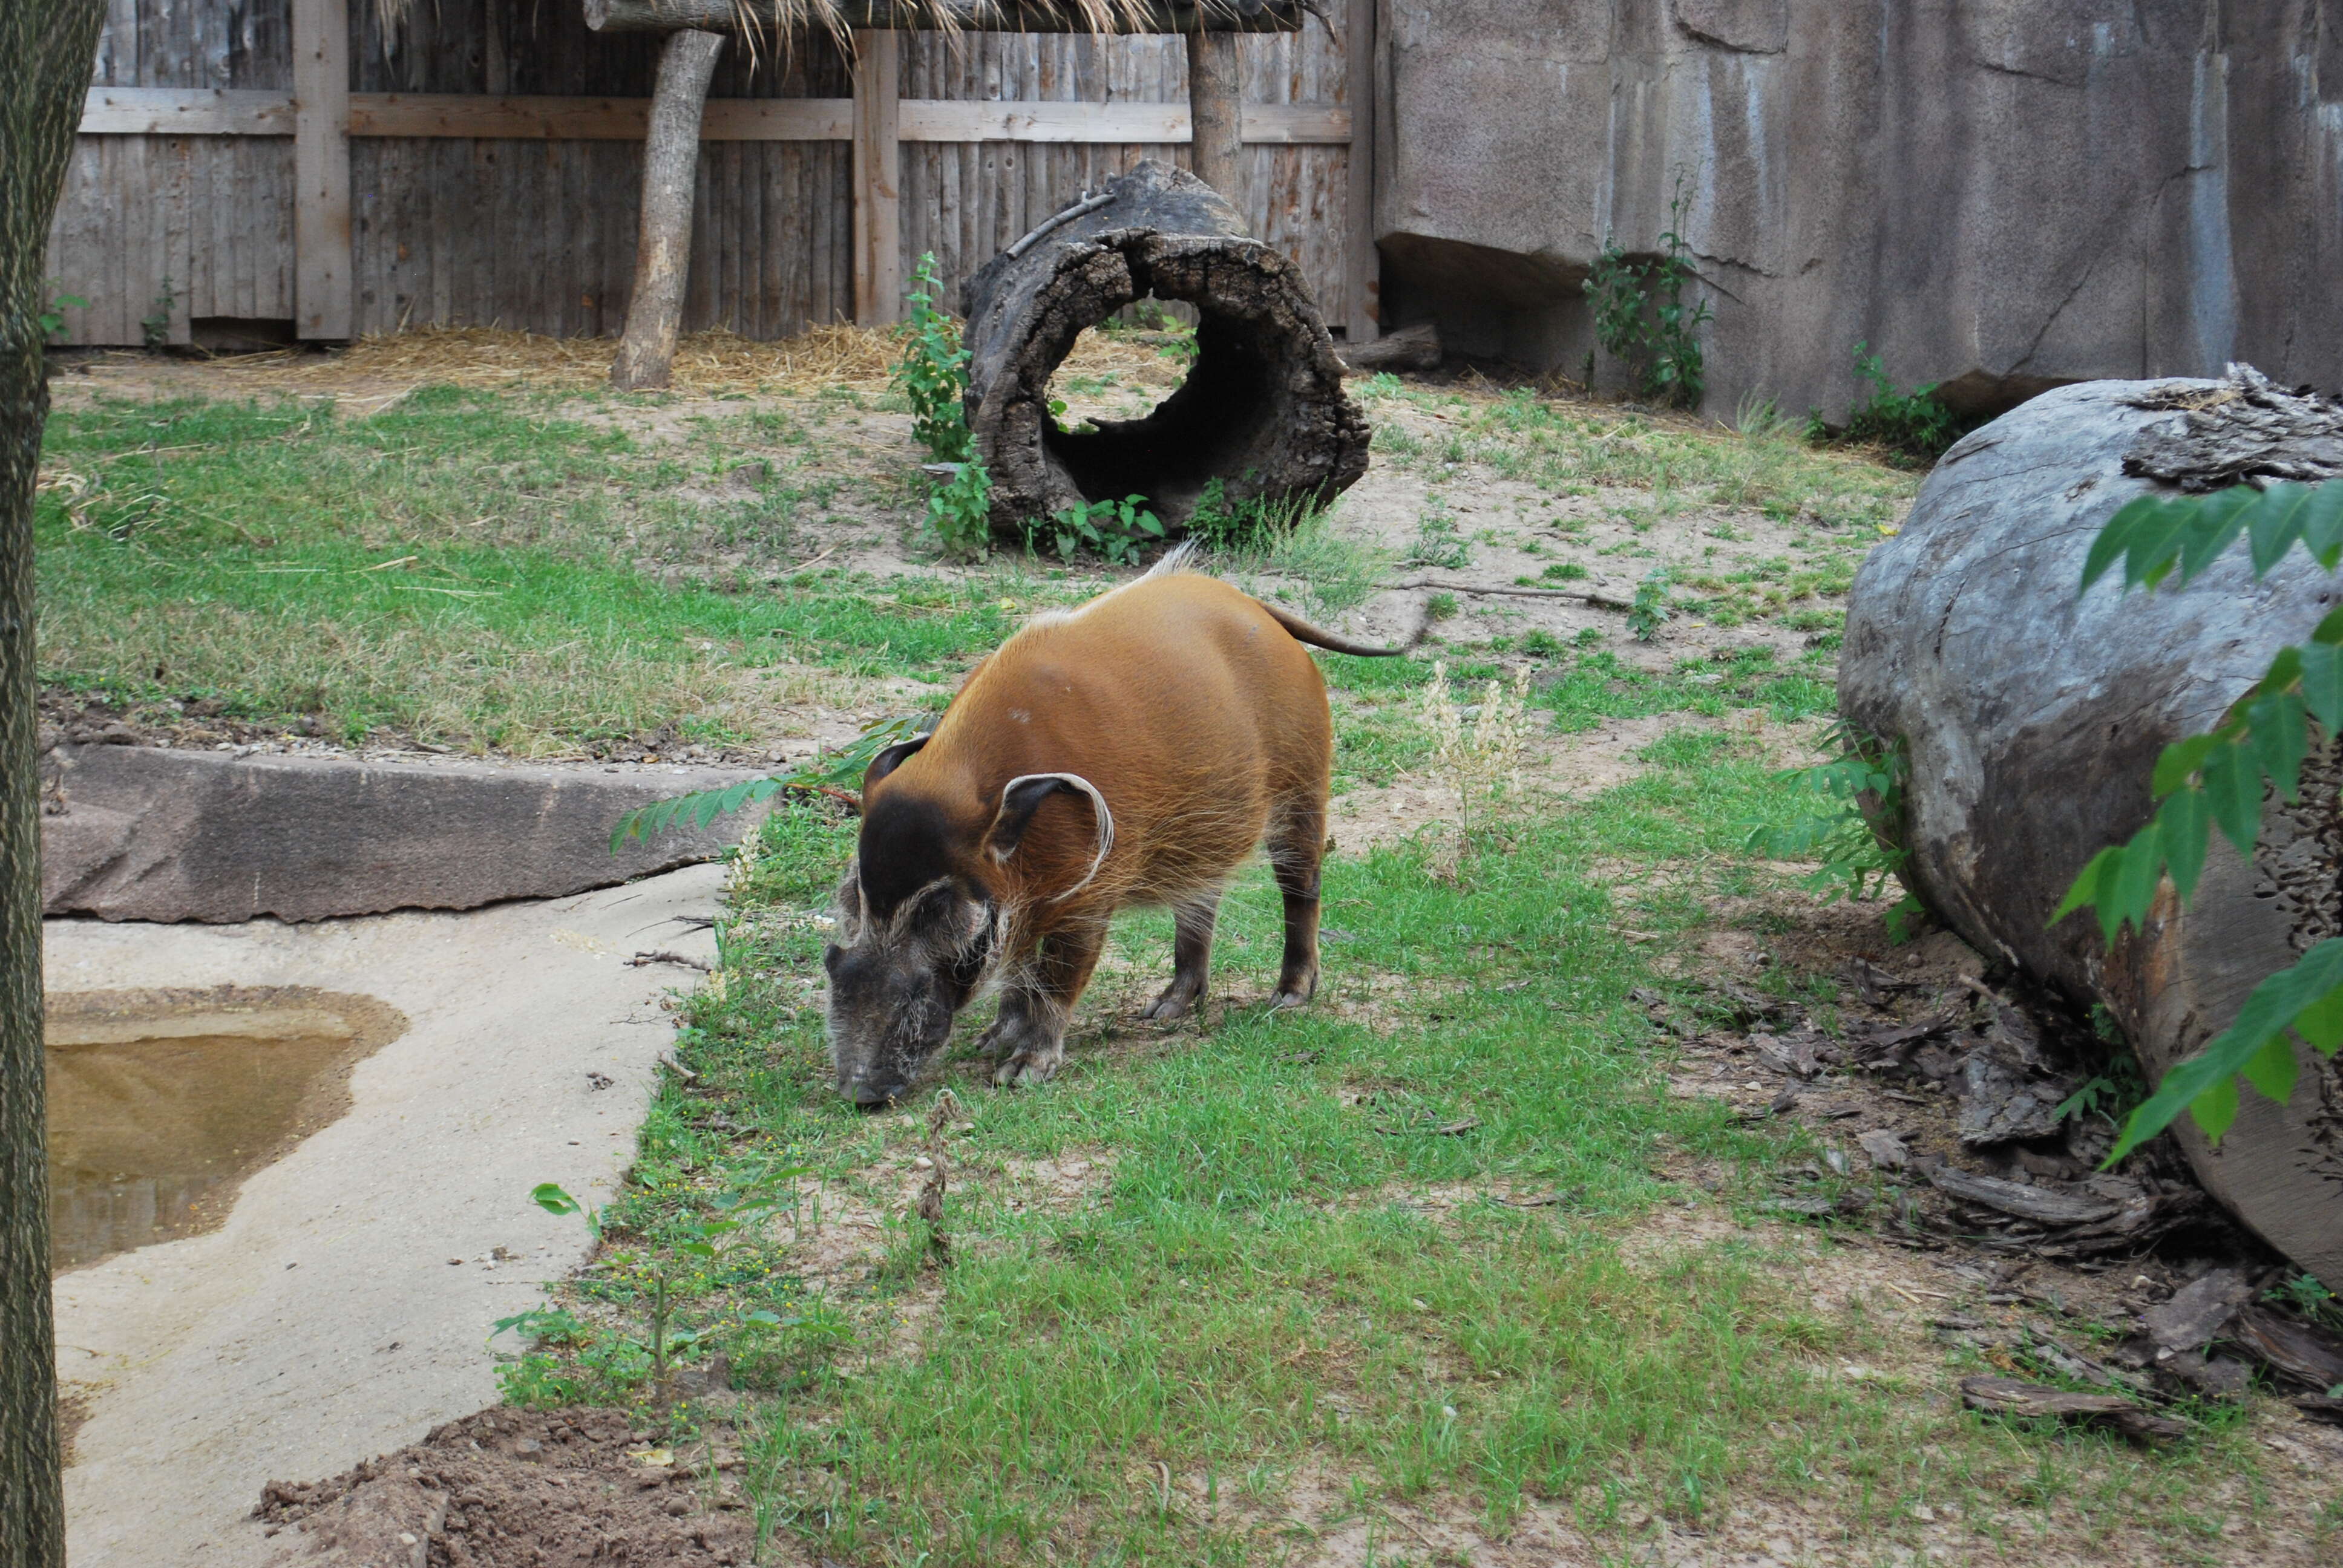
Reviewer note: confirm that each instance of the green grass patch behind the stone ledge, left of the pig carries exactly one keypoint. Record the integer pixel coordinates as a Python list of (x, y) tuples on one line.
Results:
[(470, 571)]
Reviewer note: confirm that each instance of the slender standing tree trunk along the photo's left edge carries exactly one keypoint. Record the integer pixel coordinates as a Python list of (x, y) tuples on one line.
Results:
[(48, 46)]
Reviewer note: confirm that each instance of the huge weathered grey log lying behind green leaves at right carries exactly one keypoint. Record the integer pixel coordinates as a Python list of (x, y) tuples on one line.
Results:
[(2033, 718)]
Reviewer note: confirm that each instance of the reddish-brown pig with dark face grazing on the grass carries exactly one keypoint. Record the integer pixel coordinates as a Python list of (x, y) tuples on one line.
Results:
[(1126, 754)]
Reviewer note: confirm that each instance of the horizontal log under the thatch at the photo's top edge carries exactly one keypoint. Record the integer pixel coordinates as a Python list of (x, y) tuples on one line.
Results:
[(948, 15)]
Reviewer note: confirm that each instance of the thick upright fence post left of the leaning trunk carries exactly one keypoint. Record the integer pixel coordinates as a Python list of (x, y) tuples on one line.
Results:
[(322, 168)]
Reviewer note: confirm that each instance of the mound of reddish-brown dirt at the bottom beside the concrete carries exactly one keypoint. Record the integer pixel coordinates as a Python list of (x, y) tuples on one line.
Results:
[(517, 1489)]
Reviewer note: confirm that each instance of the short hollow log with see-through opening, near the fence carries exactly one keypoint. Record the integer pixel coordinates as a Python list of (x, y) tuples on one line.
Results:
[(1262, 409)]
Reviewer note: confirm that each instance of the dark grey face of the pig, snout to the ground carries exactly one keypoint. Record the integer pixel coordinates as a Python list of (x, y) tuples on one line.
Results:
[(899, 979)]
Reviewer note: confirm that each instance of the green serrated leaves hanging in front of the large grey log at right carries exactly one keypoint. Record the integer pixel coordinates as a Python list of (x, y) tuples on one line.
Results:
[(2218, 779)]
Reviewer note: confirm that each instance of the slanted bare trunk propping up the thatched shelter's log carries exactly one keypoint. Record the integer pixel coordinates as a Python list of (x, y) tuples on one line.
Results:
[(671, 163)]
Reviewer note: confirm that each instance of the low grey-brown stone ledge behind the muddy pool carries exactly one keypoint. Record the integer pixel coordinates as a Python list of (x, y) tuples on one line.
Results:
[(160, 836)]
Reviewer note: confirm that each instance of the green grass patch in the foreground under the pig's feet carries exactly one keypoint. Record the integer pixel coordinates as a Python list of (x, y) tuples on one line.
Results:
[(1255, 1293)]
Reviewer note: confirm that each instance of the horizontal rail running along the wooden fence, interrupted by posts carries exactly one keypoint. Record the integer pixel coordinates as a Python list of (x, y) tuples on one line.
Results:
[(191, 111)]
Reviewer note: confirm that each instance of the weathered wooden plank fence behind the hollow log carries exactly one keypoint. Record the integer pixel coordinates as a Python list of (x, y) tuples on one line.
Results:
[(289, 163)]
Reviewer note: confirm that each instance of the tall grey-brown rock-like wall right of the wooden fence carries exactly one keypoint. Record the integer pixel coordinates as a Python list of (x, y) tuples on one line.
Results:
[(2000, 196)]
